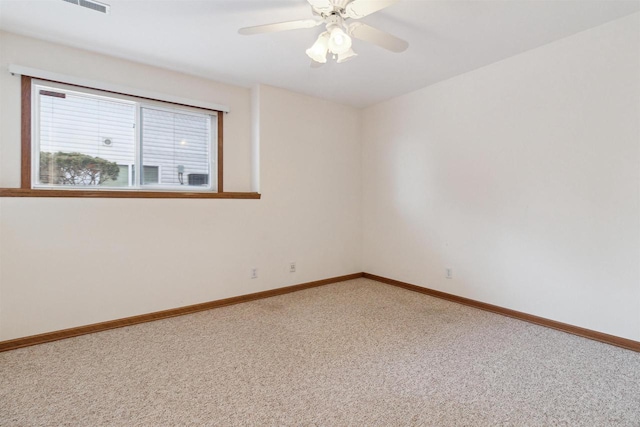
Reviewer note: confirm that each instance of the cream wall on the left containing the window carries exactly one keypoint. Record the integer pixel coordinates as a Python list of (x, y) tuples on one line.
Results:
[(71, 262)]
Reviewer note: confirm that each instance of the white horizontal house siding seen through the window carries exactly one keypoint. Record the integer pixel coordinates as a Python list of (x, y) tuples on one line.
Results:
[(176, 145)]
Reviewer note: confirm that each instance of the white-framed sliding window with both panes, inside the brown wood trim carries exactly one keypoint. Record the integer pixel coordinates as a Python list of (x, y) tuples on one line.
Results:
[(93, 140)]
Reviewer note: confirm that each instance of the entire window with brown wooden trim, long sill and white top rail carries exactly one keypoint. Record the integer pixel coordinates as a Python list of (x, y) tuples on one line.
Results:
[(50, 168)]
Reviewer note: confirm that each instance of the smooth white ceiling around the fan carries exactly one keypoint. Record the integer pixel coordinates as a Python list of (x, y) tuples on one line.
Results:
[(200, 37)]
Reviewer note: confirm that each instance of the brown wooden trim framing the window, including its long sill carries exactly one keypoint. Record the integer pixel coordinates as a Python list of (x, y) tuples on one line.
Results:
[(25, 189)]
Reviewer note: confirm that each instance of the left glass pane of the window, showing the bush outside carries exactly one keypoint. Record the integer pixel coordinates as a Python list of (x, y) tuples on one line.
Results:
[(84, 139)]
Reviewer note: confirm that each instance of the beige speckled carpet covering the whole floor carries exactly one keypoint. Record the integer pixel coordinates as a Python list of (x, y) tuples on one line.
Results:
[(352, 353)]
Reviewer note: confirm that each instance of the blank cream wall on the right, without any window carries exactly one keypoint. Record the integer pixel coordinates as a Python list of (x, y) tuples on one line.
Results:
[(523, 177)]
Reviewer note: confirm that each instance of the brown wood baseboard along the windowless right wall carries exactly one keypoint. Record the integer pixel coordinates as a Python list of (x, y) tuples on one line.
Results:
[(575, 330)]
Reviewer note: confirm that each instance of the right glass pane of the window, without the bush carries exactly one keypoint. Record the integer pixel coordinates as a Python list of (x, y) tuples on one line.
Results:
[(179, 143)]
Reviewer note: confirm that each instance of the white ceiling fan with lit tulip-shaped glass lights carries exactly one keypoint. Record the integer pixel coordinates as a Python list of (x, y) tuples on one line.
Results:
[(336, 40)]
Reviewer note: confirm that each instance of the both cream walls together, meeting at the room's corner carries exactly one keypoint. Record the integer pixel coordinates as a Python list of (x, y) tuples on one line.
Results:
[(523, 177)]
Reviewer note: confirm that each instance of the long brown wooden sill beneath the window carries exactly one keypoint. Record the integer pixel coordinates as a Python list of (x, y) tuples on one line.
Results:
[(106, 194)]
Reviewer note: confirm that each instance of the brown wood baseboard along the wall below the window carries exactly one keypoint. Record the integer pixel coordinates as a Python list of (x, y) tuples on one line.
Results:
[(119, 323)]
